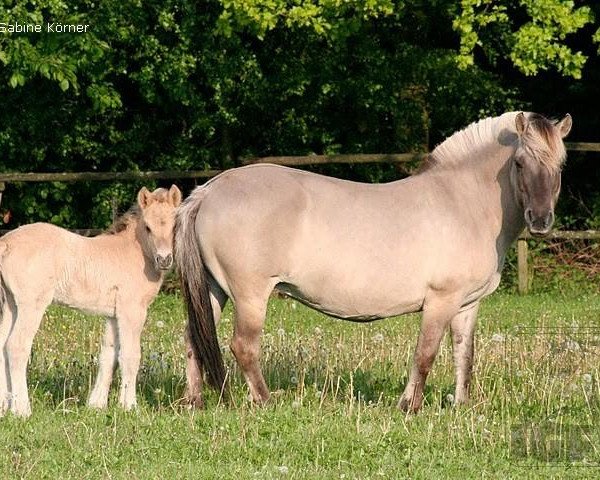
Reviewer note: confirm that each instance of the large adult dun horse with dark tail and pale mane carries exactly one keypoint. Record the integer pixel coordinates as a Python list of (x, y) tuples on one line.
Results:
[(434, 242)]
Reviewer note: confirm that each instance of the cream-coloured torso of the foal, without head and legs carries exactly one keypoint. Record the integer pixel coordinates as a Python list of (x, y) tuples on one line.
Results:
[(43, 263)]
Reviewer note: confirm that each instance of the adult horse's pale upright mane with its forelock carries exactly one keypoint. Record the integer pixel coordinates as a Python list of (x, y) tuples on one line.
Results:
[(541, 140)]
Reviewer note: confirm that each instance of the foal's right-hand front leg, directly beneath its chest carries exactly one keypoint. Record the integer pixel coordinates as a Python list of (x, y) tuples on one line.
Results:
[(130, 324)]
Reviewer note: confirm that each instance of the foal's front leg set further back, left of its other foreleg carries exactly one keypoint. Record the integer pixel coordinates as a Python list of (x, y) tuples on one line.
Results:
[(107, 361)]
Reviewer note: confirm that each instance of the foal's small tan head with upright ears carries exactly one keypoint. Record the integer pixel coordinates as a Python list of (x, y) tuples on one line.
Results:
[(157, 221)]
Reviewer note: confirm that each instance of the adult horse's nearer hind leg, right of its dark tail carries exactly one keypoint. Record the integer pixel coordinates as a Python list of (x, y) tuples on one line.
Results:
[(245, 345)]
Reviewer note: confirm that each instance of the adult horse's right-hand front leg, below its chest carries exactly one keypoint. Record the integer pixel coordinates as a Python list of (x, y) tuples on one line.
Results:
[(462, 327)]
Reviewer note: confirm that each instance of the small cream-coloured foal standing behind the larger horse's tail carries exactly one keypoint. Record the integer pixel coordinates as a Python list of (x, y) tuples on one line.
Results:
[(116, 274)]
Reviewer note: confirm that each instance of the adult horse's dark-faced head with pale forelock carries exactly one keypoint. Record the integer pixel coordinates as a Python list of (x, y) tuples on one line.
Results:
[(536, 168)]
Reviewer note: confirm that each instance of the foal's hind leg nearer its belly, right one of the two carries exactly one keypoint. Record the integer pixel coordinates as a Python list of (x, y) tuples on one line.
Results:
[(18, 349)]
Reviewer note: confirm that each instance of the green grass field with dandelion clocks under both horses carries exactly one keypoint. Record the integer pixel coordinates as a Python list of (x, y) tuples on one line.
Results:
[(535, 408)]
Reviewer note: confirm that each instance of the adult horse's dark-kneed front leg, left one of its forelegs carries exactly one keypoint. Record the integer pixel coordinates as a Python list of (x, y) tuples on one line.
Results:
[(437, 313)]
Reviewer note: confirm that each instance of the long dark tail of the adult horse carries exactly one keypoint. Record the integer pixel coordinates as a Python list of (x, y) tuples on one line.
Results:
[(194, 285)]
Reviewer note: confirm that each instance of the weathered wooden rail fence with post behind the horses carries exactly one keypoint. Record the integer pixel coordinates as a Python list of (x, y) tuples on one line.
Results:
[(522, 247)]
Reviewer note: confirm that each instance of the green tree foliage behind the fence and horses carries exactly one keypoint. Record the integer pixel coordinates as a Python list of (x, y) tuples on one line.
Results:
[(191, 85)]
